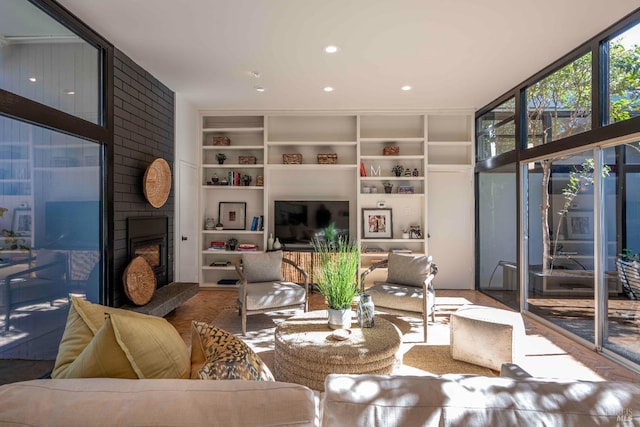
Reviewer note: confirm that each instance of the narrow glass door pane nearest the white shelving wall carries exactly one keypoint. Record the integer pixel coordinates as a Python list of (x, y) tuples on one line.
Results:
[(497, 233)]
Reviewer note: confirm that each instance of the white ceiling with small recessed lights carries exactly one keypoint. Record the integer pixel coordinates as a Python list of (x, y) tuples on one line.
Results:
[(455, 54)]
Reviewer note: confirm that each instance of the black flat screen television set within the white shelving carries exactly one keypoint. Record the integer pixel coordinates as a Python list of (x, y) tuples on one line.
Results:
[(298, 222)]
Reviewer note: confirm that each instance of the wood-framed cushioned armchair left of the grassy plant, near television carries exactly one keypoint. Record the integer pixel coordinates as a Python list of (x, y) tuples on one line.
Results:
[(262, 288)]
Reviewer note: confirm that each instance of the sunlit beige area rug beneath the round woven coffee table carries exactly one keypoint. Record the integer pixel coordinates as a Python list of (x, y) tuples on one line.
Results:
[(418, 358)]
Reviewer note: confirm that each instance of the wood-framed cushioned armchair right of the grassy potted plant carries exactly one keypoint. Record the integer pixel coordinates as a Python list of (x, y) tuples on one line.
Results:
[(408, 287)]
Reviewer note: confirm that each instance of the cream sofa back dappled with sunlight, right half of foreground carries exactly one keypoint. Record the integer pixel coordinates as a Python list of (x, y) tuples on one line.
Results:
[(474, 400)]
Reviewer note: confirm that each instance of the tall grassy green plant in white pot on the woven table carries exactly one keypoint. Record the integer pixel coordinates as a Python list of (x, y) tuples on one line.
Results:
[(336, 277)]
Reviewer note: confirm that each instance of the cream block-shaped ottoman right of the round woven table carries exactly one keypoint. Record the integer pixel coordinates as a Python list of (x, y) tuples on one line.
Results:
[(486, 336)]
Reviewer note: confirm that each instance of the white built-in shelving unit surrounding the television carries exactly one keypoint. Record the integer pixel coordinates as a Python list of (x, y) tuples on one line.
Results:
[(434, 146)]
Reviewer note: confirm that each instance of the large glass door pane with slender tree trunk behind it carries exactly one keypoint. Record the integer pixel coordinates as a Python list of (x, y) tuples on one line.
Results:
[(561, 242)]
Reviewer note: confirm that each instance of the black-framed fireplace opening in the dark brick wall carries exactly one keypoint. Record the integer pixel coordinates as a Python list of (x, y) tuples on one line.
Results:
[(148, 237)]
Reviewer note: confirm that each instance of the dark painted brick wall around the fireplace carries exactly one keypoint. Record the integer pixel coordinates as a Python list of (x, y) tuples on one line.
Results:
[(143, 131)]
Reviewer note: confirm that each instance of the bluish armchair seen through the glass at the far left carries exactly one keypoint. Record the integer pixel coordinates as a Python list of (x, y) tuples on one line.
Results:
[(44, 279)]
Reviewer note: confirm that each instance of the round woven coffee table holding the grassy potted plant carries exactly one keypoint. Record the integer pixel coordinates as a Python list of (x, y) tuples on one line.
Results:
[(305, 351)]
